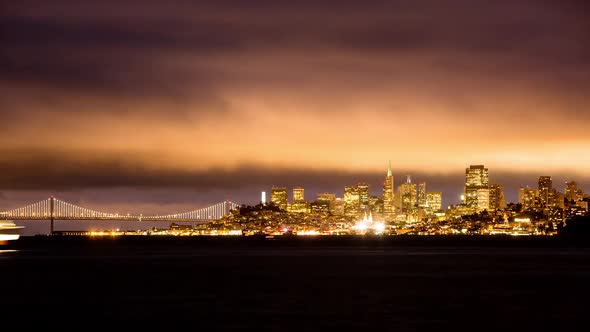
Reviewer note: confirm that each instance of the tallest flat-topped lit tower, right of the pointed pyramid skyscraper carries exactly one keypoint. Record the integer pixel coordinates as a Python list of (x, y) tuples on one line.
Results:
[(476, 185)]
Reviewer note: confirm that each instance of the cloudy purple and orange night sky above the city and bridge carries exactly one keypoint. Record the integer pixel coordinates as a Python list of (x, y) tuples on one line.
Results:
[(165, 106)]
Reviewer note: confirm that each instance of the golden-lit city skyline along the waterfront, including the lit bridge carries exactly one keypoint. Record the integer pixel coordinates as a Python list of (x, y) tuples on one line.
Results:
[(544, 209)]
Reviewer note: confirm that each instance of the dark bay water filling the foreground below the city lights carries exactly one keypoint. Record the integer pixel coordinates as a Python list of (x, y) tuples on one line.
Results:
[(298, 284)]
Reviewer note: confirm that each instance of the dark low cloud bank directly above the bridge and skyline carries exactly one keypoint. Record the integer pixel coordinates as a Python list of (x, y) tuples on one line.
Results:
[(111, 180)]
